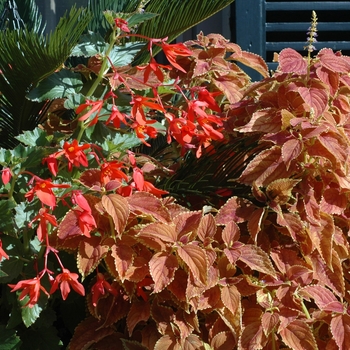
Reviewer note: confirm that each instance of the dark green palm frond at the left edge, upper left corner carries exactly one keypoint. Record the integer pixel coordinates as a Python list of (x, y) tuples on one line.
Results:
[(26, 57)]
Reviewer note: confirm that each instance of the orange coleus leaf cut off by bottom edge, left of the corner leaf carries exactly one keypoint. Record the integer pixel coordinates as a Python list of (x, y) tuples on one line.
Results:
[(298, 336)]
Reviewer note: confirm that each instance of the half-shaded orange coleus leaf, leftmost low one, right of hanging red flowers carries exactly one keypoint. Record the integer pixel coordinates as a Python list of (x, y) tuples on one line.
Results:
[(90, 253)]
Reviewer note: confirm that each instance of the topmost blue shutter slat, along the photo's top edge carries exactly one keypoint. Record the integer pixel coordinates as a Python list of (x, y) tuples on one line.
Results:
[(307, 5)]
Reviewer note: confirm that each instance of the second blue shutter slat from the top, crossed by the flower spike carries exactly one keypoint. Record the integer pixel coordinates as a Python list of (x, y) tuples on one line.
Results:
[(303, 26)]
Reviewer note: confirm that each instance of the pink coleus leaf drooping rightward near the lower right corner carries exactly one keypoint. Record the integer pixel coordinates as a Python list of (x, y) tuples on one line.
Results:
[(324, 298)]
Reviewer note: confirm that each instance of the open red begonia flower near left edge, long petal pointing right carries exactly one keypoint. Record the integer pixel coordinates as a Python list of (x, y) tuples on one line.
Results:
[(43, 190)]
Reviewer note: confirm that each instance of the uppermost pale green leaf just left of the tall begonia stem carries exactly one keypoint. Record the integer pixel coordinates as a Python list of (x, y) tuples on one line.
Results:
[(89, 45)]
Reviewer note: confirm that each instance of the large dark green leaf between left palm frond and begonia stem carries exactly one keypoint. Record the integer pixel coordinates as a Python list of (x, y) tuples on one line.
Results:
[(57, 85)]
